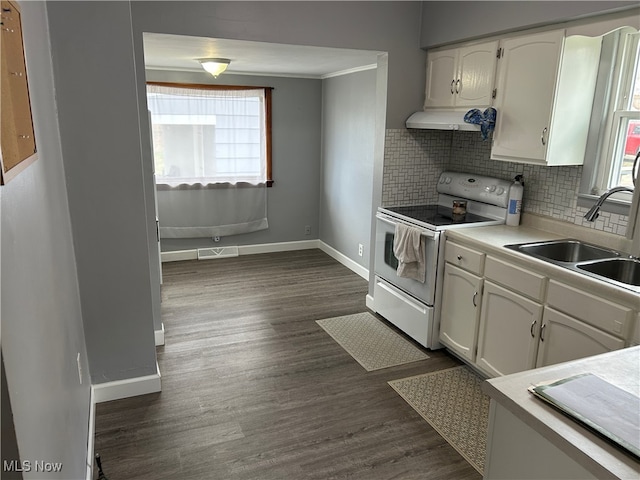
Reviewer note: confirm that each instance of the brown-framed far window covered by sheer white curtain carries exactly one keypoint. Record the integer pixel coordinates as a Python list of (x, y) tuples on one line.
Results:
[(210, 134)]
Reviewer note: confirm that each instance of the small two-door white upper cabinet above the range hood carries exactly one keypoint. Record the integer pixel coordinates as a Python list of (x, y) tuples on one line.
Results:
[(461, 77)]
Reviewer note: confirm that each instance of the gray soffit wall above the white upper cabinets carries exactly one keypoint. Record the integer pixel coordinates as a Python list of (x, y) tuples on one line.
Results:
[(450, 22)]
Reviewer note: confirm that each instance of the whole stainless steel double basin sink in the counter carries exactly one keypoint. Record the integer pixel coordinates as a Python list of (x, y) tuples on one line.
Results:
[(604, 264)]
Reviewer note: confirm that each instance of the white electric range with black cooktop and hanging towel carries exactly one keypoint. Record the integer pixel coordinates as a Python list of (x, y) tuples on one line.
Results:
[(413, 305)]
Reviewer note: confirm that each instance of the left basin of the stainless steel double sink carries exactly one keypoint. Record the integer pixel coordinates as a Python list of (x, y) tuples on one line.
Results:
[(566, 251)]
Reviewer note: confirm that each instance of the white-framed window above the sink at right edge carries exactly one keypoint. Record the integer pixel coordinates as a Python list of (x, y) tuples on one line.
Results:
[(616, 116)]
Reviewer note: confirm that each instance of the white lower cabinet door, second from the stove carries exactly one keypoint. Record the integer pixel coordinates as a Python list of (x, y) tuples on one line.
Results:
[(509, 331)]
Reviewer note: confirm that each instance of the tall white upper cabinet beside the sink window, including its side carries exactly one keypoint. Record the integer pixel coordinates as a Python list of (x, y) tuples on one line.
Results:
[(544, 93)]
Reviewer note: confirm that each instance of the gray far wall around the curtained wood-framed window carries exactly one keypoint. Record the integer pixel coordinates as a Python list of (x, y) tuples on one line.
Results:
[(292, 202)]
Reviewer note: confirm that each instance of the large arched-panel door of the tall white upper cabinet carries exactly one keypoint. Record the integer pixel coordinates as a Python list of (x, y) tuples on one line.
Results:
[(527, 75)]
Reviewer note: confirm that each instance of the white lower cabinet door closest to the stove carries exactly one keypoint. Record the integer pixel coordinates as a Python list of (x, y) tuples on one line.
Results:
[(460, 312)]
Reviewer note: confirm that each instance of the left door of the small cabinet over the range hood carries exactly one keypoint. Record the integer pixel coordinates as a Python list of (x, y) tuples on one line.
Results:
[(441, 78)]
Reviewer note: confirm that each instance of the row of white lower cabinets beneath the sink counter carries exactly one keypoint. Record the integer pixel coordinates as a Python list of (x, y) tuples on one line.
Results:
[(504, 318)]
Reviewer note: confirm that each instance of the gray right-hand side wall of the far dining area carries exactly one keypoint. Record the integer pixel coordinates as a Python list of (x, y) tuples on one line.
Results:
[(348, 131)]
